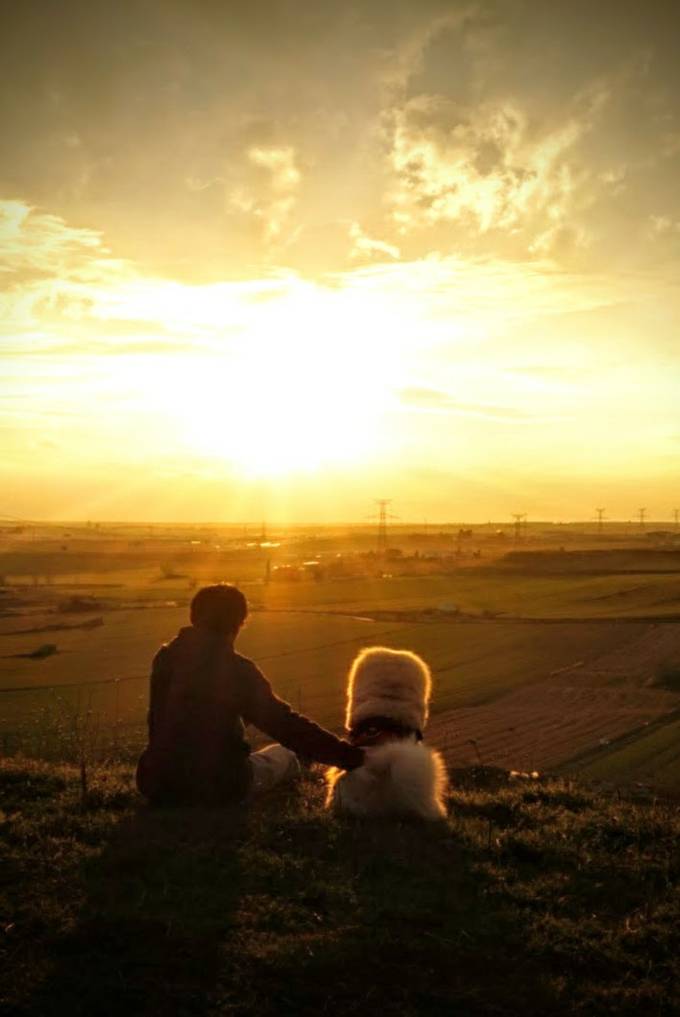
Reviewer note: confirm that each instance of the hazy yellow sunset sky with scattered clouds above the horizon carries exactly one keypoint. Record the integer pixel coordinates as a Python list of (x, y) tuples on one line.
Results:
[(283, 259)]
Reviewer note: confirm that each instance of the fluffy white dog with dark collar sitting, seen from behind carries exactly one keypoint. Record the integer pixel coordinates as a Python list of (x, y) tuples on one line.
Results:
[(389, 693)]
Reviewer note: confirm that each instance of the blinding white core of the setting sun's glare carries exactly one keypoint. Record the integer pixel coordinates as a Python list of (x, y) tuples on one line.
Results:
[(304, 390)]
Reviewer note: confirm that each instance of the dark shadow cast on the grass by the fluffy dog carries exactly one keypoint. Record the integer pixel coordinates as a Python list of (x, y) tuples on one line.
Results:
[(384, 918)]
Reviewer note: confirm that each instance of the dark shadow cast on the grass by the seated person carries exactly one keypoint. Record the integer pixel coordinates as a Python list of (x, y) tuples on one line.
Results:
[(158, 904)]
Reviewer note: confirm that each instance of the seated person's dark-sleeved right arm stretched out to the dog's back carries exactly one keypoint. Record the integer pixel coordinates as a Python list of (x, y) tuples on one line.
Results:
[(277, 719)]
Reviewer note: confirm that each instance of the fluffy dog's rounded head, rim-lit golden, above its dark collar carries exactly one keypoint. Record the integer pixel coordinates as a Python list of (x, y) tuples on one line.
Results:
[(387, 683)]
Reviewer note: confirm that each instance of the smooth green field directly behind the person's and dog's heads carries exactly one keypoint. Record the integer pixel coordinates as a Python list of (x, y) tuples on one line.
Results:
[(305, 655)]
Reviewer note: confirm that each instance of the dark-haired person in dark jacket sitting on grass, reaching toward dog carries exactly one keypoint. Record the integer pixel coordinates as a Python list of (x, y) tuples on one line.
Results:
[(202, 694)]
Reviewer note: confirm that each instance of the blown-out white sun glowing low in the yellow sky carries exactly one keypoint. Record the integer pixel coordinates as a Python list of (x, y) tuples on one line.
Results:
[(277, 385)]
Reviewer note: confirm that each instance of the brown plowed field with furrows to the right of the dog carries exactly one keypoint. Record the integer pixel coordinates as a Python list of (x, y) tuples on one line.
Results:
[(579, 710)]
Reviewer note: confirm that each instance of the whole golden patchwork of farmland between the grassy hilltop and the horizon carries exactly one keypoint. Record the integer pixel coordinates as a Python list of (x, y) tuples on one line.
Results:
[(487, 632)]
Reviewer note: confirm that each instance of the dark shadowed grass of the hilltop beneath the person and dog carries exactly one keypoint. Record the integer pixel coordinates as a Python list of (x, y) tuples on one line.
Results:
[(535, 899)]
